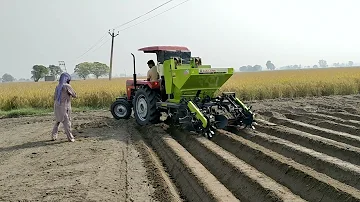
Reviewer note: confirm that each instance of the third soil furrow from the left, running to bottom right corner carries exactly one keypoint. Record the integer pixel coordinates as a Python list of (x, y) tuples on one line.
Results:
[(300, 179)]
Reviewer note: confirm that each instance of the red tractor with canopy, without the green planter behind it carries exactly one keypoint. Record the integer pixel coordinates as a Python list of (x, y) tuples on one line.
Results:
[(147, 93)]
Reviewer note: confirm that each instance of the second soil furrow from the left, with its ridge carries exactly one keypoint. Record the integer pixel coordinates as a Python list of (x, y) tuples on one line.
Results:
[(243, 180)]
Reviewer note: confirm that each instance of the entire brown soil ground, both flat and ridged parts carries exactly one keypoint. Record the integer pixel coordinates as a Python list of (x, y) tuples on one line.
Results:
[(302, 150)]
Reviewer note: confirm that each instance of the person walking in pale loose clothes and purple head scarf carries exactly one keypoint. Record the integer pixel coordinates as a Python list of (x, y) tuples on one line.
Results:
[(62, 106)]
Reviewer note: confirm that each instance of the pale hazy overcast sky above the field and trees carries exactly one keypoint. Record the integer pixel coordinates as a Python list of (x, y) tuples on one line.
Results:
[(223, 32)]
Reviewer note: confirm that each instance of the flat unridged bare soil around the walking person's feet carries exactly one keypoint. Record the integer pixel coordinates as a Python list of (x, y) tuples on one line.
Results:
[(107, 162)]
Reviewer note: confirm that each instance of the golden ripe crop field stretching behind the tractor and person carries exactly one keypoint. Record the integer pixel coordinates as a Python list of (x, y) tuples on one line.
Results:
[(100, 93)]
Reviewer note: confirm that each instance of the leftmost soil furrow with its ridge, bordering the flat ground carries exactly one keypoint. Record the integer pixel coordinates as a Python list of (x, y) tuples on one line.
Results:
[(193, 179)]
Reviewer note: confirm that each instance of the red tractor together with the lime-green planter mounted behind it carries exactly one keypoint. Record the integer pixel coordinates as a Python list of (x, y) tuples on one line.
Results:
[(185, 92)]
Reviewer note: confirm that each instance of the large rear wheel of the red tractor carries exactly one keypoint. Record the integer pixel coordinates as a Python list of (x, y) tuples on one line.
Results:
[(145, 110)]
